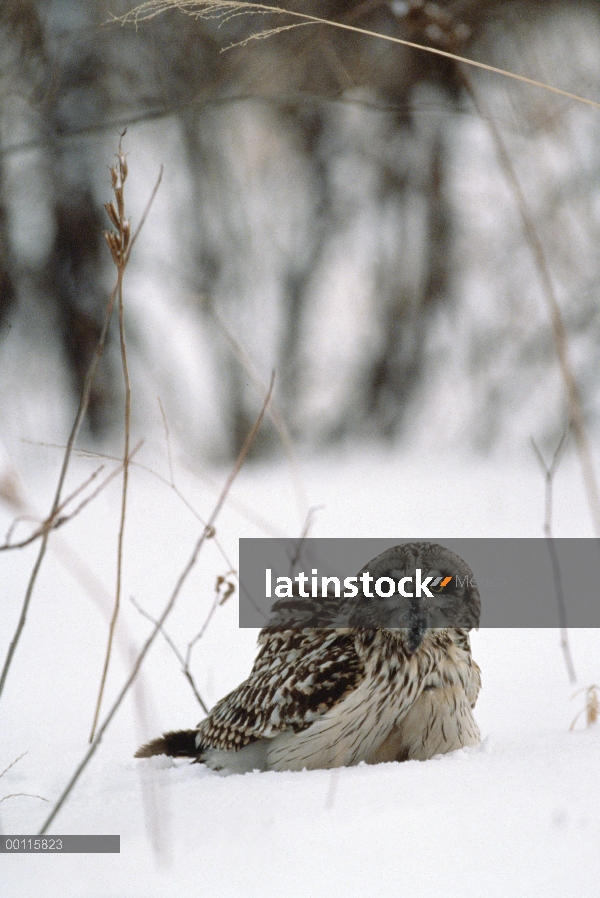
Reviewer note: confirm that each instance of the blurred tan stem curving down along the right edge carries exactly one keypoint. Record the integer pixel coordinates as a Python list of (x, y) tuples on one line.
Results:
[(559, 332)]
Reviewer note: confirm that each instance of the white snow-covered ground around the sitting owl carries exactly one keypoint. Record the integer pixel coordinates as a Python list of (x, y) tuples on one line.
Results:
[(519, 816)]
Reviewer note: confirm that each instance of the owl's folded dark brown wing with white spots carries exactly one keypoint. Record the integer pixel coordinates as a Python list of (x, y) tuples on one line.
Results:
[(297, 676)]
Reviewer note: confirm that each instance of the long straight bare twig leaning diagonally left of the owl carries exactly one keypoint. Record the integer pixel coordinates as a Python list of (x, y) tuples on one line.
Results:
[(161, 620)]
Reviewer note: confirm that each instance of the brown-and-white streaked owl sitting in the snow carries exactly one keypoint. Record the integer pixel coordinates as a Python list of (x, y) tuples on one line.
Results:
[(397, 682)]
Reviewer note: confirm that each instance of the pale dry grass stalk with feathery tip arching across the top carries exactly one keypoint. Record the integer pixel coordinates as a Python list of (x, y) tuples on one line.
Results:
[(229, 9)]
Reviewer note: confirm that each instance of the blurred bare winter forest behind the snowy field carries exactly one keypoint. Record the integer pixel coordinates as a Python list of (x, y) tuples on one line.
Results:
[(335, 207)]
